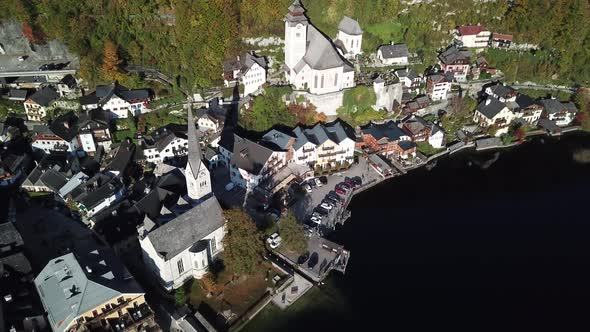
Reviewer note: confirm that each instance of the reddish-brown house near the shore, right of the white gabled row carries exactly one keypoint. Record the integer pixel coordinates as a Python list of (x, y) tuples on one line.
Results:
[(383, 138)]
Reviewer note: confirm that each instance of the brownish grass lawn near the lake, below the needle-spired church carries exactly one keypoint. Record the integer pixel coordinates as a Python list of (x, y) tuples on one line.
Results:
[(238, 296)]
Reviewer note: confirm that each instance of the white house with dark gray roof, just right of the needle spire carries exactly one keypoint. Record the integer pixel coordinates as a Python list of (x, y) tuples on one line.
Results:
[(252, 163)]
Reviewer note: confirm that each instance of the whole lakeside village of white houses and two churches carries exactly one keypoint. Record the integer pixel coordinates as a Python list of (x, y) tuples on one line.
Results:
[(128, 197)]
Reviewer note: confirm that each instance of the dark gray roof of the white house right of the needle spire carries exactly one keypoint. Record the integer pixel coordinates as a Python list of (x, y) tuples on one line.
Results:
[(250, 156)]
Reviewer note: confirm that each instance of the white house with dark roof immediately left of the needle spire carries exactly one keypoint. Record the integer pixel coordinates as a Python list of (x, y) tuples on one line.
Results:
[(165, 143)]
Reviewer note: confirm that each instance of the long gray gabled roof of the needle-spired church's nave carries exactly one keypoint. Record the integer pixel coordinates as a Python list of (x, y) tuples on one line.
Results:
[(187, 229)]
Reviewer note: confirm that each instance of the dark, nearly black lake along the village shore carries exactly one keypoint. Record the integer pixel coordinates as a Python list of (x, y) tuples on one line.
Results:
[(473, 244)]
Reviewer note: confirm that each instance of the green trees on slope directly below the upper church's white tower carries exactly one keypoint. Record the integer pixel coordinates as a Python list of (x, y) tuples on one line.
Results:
[(267, 110)]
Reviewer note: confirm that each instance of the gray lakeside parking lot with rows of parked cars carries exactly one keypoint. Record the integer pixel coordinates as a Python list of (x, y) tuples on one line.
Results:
[(304, 207)]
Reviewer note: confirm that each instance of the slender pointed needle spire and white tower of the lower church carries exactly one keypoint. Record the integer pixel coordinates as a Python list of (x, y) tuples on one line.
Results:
[(198, 179)]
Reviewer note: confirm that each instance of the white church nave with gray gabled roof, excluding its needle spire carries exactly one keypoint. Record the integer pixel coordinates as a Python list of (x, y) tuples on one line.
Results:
[(198, 238)]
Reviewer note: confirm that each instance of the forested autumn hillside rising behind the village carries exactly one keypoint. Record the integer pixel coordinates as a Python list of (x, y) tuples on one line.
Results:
[(189, 39)]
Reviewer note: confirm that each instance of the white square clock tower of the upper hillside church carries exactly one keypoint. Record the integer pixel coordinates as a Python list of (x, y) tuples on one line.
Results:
[(296, 24)]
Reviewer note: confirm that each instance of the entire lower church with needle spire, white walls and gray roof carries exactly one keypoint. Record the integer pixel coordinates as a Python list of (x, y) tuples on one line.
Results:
[(184, 239)]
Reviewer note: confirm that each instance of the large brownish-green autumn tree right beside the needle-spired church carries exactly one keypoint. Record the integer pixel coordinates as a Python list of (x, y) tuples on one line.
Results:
[(243, 246)]
